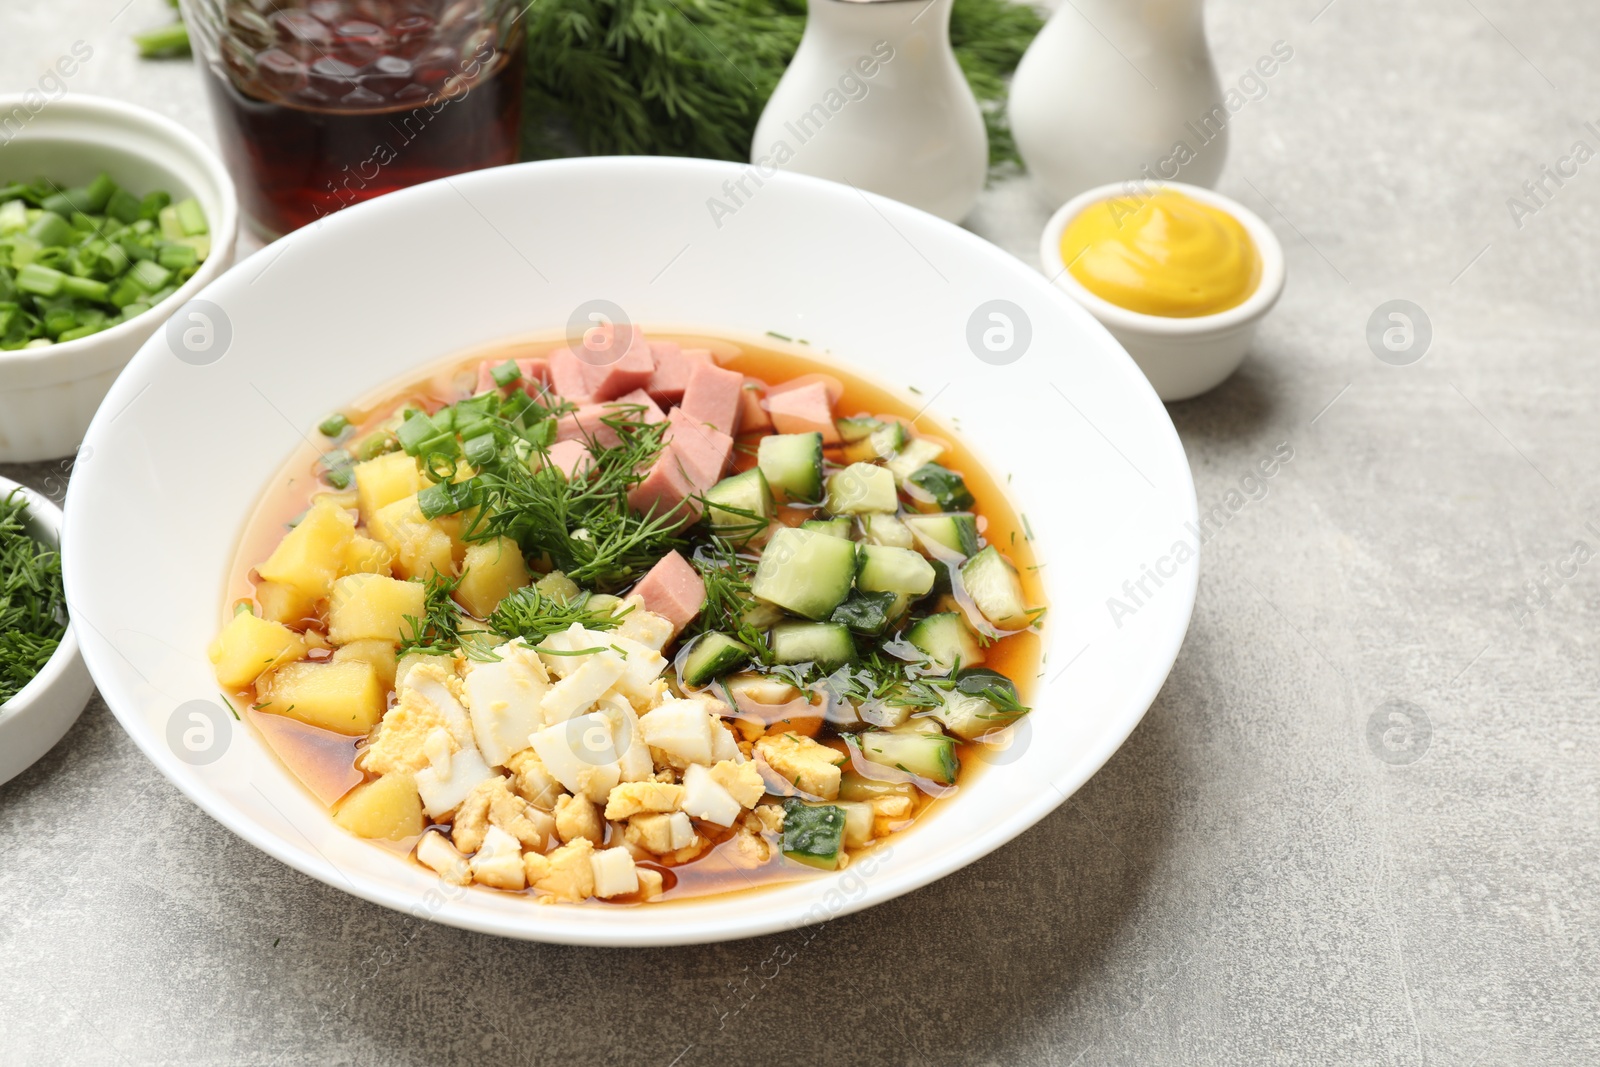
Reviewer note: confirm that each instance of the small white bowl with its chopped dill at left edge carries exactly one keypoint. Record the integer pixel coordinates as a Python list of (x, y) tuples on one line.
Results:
[(44, 684)]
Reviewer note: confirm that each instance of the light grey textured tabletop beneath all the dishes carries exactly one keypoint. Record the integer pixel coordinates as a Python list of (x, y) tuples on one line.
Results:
[(1263, 874)]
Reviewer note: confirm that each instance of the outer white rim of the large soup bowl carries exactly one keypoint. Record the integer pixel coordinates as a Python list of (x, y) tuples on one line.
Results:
[(674, 925)]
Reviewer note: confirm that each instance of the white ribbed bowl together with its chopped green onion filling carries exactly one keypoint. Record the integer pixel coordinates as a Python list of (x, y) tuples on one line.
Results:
[(111, 220)]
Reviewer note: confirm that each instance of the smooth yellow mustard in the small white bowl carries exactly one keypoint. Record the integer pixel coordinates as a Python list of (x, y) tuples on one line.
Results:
[(1162, 255)]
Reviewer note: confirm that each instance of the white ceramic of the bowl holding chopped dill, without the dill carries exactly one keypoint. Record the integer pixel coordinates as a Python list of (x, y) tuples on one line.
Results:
[(36, 719)]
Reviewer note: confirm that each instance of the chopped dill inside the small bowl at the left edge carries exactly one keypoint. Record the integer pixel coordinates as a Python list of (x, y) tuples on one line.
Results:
[(33, 602)]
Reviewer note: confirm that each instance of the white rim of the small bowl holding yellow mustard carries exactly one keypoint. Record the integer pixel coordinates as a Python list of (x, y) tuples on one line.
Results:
[(1254, 308)]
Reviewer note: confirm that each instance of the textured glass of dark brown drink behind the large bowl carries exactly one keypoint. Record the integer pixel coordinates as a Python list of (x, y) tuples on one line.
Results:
[(326, 103)]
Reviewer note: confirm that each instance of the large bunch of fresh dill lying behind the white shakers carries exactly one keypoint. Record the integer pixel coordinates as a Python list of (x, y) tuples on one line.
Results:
[(690, 78)]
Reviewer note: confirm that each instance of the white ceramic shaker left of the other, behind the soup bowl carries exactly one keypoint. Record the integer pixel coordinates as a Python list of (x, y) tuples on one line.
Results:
[(874, 98)]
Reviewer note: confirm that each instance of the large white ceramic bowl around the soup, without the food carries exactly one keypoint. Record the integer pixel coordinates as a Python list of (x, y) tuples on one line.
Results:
[(407, 279)]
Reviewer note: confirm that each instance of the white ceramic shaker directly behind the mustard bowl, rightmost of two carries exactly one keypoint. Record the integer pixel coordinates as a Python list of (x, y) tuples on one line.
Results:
[(1118, 90)]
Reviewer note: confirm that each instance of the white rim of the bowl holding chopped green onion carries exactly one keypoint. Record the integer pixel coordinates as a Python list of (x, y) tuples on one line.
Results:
[(122, 114)]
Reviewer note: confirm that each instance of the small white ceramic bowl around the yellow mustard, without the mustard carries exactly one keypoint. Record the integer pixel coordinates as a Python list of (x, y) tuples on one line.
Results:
[(1183, 358)]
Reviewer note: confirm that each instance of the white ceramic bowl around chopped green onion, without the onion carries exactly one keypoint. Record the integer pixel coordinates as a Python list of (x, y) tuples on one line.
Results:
[(49, 396)]
